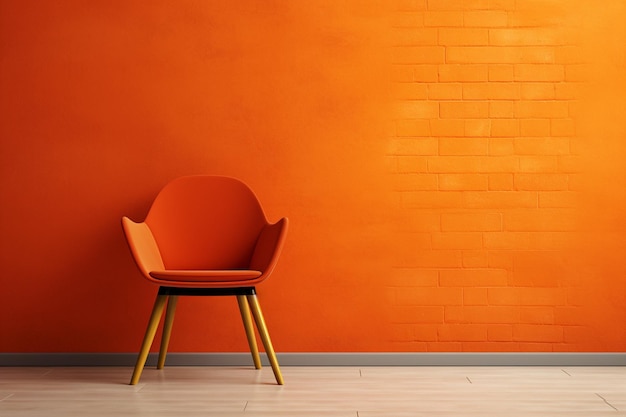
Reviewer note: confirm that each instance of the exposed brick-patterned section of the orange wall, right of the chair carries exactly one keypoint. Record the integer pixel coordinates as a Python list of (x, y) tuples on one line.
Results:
[(485, 168)]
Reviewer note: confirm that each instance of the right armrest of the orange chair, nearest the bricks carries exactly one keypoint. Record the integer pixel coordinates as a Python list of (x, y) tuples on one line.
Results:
[(268, 246)]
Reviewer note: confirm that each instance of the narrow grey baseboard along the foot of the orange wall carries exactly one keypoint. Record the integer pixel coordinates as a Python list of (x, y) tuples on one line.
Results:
[(321, 359)]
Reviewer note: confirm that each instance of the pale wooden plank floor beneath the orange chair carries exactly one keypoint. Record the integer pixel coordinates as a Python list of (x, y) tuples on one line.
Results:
[(315, 391)]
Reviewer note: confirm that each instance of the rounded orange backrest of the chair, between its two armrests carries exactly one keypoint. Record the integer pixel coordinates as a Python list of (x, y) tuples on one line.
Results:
[(206, 222)]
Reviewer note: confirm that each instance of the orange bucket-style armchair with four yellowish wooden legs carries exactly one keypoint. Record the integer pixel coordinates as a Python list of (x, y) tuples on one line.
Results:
[(206, 235)]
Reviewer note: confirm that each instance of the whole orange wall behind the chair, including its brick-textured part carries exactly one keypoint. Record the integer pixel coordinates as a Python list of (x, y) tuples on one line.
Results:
[(452, 169)]
